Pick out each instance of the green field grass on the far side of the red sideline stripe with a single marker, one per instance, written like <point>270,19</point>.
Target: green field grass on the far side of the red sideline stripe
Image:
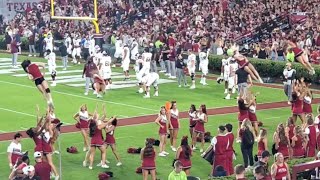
<point>21,95</point>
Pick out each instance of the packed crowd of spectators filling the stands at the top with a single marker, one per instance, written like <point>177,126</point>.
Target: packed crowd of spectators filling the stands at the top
<point>209,23</point>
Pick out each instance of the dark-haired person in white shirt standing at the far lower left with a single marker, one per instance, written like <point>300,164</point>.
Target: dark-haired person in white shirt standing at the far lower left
<point>14,150</point>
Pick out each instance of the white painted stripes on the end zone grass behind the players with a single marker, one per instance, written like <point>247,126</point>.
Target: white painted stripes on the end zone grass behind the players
<point>72,78</point>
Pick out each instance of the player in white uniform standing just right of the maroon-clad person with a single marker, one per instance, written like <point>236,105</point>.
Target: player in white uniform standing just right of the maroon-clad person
<point>105,67</point>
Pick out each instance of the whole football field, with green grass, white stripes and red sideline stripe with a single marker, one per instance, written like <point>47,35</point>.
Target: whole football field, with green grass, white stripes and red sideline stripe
<point>19,98</point>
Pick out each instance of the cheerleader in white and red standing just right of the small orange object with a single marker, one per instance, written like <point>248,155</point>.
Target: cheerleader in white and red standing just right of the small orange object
<point>174,125</point>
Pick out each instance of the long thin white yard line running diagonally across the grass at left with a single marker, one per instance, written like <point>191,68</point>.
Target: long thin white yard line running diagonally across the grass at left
<point>83,97</point>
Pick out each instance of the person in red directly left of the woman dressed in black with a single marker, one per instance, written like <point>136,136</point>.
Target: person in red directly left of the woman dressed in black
<point>230,151</point>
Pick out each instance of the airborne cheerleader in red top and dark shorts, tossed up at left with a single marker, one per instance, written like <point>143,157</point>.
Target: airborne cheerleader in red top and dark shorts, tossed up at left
<point>34,74</point>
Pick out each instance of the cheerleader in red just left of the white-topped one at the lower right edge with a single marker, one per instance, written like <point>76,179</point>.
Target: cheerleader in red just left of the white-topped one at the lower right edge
<point>299,143</point>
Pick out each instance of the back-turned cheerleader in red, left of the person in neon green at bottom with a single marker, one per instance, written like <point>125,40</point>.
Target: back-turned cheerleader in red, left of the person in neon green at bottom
<point>148,158</point>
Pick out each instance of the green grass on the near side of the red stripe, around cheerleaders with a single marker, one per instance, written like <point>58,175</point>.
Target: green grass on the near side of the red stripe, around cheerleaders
<point>134,136</point>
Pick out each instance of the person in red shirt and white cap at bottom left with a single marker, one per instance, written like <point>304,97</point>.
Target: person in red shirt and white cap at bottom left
<point>42,169</point>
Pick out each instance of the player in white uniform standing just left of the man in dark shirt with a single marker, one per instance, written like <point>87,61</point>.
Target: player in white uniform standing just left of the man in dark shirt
<point>233,67</point>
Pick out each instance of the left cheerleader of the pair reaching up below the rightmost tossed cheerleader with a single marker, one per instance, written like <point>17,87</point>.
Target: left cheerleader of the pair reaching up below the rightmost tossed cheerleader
<point>297,104</point>
